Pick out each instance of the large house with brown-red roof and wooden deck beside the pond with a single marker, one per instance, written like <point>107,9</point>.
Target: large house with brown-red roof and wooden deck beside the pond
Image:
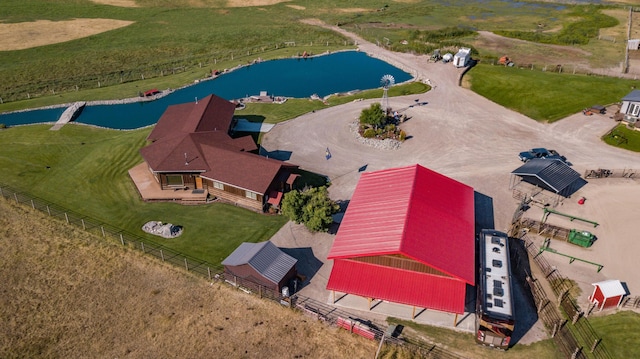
<point>192,157</point>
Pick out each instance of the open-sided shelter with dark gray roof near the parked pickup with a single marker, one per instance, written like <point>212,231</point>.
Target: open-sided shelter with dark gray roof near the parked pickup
<point>549,174</point>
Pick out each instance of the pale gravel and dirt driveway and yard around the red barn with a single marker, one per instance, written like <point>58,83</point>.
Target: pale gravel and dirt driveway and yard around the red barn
<point>471,139</point>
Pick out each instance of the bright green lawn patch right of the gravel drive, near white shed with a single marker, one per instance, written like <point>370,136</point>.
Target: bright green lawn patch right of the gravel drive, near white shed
<point>546,96</point>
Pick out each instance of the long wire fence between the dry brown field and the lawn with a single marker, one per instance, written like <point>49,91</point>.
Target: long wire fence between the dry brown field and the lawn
<point>310,307</point>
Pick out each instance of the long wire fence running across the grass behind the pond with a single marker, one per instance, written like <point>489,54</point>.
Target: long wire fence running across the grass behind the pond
<point>208,64</point>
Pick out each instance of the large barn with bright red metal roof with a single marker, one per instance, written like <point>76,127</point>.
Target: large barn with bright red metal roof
<point>407,237</point>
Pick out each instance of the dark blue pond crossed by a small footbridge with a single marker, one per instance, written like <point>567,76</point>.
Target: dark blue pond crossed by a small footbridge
<point>339,72</point>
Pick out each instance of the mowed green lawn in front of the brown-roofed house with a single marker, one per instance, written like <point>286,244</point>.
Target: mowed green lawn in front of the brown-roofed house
<point>85,169</point>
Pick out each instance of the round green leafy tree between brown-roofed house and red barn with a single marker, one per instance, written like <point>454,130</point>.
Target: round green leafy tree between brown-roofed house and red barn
<point>313,207</point>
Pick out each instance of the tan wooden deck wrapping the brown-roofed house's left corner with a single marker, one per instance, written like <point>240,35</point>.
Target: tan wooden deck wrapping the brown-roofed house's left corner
<point>150,190</point>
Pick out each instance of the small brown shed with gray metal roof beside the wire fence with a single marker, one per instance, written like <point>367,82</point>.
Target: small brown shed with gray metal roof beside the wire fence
<point>260,263</point>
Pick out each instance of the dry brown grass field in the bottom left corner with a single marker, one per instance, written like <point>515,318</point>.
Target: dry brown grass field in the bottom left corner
<point>67,294</point>
